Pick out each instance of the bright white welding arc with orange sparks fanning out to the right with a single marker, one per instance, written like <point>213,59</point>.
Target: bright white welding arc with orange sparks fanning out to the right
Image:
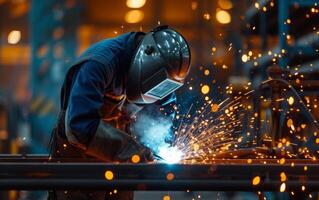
<point>218,130</point>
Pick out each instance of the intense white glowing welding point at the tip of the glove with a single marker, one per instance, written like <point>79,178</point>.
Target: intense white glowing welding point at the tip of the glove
<point>170,154</point>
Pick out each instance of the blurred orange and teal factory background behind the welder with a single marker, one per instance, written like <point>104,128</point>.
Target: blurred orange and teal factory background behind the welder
<point>233,43</point>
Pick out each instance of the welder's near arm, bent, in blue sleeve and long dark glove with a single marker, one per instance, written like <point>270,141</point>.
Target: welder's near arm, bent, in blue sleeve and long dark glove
<point>84,127</point>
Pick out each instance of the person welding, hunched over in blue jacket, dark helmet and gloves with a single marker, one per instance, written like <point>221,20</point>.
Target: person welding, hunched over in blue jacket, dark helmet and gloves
<point>105,89</point>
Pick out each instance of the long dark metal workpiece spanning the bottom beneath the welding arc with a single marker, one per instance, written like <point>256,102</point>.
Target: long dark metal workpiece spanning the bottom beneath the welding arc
<point>34,173</point>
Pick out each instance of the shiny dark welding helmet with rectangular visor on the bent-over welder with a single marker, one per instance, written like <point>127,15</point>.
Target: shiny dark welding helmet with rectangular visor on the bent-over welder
<point>159,66</point>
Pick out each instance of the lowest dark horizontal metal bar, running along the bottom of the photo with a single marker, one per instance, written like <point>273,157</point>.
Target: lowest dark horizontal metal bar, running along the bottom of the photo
<point>155,185</point>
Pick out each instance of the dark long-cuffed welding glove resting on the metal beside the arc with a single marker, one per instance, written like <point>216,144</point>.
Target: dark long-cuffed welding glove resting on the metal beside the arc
<point>112,144</point>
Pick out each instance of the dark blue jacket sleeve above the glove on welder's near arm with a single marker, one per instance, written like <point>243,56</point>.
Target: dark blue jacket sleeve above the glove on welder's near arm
<point>85,101</point>
